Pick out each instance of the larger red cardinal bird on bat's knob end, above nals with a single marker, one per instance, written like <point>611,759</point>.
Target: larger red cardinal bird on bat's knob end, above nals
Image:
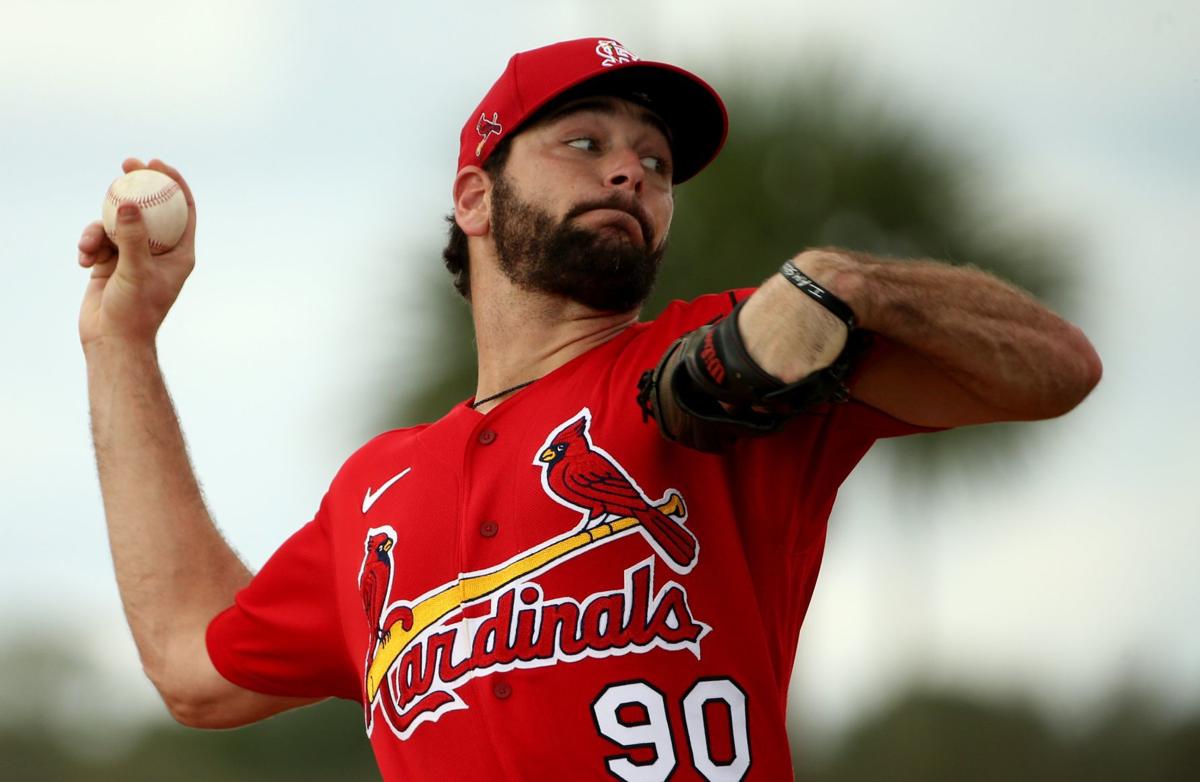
<point>583,477</point>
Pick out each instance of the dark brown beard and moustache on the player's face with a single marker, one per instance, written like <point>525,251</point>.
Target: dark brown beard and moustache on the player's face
<point>601,272</point>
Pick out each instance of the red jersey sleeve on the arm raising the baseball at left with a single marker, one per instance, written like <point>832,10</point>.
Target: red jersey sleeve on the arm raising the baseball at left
<point>284,636</point>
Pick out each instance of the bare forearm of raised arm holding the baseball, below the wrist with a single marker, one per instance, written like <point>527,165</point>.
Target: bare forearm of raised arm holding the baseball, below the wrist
<point>173,569</point>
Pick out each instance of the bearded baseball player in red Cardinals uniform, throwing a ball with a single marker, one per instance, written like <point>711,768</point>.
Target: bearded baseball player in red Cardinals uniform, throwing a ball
<point>598,567</point>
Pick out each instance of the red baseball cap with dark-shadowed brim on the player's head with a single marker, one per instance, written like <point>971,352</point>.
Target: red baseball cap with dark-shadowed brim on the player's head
<point>691,109</point>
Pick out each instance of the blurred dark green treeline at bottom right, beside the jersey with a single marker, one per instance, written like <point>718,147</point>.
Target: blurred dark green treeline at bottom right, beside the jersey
<point>947,736</point>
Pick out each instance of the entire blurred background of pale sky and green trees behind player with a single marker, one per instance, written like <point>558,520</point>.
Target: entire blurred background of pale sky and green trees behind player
<point>1005,603</point>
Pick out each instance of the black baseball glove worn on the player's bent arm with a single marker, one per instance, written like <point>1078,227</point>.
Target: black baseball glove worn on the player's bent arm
<point>707,392</point>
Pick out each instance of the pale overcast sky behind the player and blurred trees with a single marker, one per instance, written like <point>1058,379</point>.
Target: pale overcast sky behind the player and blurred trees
<point>321,142</point>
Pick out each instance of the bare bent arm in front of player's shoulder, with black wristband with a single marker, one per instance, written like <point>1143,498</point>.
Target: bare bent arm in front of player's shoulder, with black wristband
<point>958,345</point>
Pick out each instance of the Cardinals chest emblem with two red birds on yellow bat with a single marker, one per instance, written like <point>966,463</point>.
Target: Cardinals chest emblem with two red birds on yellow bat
<point>424,649</point>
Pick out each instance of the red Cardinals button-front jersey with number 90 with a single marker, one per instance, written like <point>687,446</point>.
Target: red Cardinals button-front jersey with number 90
<point>553,591</point>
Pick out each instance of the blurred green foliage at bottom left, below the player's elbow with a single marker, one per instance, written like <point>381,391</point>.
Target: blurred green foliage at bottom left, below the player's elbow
<point>57,724</point>
